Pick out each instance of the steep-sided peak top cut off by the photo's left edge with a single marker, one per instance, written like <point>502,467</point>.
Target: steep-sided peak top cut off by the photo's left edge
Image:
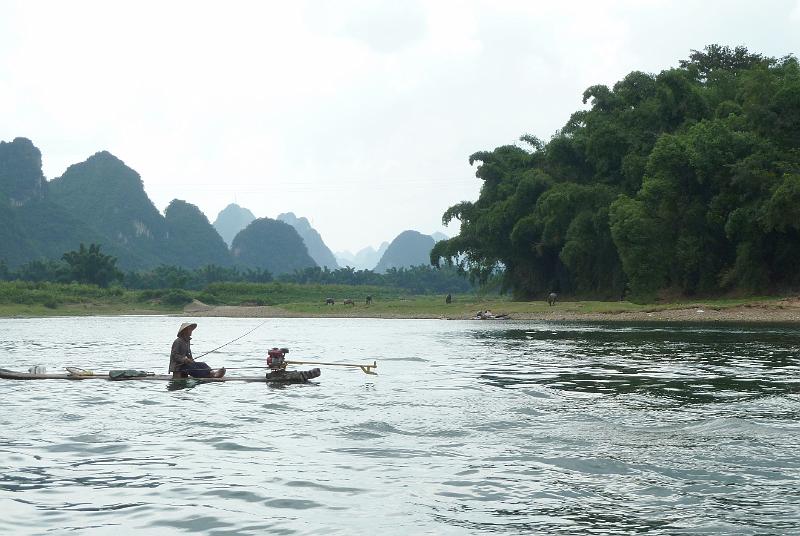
<point>21,178</point>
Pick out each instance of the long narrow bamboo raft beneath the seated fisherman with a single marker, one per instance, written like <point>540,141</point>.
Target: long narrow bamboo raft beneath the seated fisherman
<point>286,376</point>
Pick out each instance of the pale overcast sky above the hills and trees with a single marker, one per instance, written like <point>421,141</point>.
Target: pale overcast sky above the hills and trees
<point>360,116</point>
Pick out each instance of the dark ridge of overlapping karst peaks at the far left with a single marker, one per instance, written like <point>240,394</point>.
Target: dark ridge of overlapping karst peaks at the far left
<point>98,201</point>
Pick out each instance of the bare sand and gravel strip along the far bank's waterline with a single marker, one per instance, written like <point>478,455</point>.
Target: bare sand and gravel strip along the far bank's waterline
<point>786,311</point>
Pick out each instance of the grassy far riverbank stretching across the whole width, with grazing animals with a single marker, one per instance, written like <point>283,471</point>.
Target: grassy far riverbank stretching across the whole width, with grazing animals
<point>288,299</point>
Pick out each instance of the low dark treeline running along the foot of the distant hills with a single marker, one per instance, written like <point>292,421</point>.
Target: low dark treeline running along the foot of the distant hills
<point>91,266</point>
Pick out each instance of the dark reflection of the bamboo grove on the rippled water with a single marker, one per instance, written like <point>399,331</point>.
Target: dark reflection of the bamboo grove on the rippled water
<point>690,364</point>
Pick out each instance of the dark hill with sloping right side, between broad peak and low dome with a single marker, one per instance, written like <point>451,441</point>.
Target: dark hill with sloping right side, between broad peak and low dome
<point>192,242</point>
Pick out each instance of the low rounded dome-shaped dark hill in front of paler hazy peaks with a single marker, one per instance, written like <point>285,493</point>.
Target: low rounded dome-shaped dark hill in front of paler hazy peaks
<point>272,245</point>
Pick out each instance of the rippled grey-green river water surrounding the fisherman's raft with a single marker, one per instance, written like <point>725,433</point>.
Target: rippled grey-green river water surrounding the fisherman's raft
<point>469,428</point>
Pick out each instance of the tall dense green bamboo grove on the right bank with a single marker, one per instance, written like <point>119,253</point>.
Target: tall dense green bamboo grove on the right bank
<point>685,182</point>
